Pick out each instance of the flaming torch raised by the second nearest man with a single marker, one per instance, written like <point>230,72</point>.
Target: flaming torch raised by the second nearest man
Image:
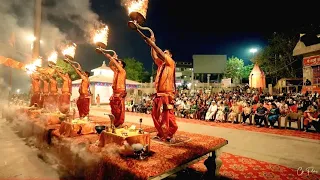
<point>100,39</point>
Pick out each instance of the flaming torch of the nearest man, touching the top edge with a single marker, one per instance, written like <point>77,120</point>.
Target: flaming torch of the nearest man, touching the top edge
<point>137,10</point>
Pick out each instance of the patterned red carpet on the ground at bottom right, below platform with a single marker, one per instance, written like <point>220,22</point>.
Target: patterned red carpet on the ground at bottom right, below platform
<point>238,167</point>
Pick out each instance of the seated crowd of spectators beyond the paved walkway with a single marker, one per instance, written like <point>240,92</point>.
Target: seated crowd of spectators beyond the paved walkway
<point>248,107</point>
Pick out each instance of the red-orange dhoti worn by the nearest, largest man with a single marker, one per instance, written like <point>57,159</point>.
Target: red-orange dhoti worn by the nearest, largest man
<point>166,117</point>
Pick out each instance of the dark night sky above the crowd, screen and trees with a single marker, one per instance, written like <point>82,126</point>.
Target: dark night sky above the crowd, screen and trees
<point>195,27</point>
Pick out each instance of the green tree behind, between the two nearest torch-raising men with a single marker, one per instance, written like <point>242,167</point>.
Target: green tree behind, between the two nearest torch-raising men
<point>135,70</point>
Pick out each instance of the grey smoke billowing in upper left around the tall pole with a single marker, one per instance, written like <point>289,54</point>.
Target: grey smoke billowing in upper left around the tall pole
<point>62,21</point>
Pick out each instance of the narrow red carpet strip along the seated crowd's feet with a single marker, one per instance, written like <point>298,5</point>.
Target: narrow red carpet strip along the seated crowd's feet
<point>283,132</point>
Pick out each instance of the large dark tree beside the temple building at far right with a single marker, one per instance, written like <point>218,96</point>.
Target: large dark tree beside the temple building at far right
<point>276,59</point>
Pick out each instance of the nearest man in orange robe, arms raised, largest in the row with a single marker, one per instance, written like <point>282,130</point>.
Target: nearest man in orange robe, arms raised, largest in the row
<point>164,121</point>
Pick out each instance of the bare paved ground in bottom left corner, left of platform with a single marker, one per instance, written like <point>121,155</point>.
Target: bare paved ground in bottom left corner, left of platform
<point>20,161</point>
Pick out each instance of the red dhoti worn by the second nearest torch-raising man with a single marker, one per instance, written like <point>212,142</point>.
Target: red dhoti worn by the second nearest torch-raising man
<point>118,107</point>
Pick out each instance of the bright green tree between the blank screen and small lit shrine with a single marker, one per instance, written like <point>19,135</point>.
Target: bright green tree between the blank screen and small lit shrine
<point>236,69</point>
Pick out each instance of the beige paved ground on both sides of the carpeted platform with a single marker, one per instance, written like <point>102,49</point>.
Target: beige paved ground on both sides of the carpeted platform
<point>18,160</point>
